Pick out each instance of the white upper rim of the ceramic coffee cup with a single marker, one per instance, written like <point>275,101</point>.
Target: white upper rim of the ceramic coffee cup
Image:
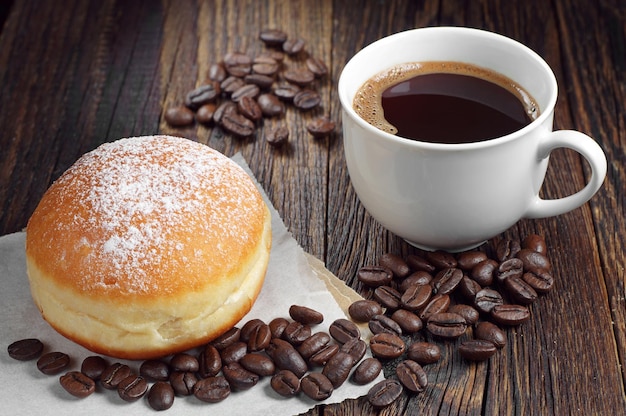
<point>546,113</point>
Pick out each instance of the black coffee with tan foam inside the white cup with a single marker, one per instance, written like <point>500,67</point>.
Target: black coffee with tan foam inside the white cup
<point>444,102</point>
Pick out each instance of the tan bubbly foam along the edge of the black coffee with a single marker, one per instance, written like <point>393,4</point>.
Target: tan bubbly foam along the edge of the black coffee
<point>368,100</point>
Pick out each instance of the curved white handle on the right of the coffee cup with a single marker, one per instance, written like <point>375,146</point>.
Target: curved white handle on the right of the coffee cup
<point>591,151</point>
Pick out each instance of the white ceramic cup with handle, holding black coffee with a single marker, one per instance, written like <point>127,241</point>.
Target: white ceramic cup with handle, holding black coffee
<point>456,196</point>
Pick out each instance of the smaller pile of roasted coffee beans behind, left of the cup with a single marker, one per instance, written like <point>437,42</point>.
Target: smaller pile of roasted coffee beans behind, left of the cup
<point>241,90</point>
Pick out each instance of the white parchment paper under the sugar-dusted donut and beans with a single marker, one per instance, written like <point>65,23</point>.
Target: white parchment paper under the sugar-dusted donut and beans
<point>24,390</point>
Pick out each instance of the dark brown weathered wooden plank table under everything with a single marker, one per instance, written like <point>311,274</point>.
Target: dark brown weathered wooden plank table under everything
<point>75,74</point>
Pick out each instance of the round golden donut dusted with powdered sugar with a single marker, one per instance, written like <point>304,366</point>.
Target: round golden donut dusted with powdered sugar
<point>148,246</point>
